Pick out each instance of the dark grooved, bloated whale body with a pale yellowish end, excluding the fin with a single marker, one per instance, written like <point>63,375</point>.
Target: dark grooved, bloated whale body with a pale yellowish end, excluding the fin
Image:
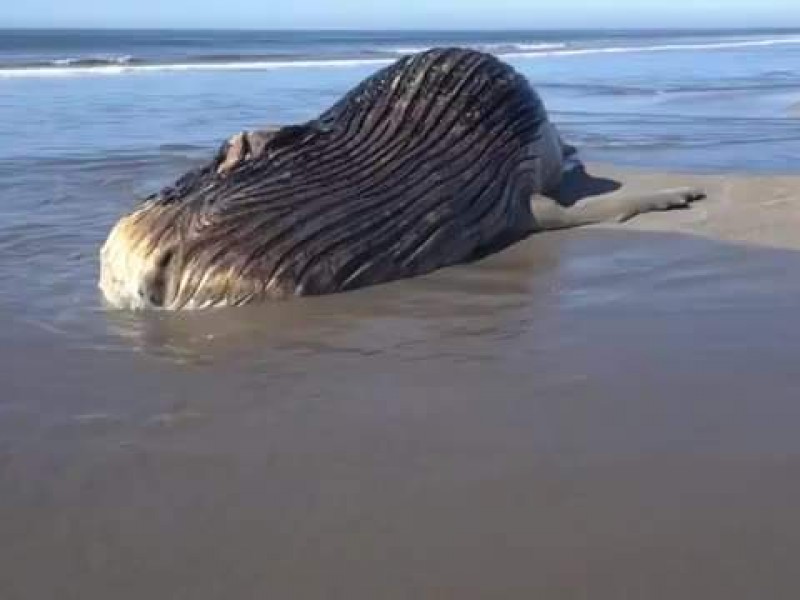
<point>427,163</point>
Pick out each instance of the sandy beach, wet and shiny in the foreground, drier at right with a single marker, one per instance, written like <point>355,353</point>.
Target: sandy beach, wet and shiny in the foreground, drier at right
<point>603,413</point>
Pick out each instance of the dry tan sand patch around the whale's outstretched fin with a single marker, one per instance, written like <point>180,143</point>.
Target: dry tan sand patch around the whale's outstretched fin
<point>758,210</point>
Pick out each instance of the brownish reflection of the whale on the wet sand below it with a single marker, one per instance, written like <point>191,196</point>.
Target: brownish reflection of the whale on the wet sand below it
<point>365,320</point>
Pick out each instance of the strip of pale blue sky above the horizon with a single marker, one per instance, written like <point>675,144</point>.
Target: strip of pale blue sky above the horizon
<point>400,14</point>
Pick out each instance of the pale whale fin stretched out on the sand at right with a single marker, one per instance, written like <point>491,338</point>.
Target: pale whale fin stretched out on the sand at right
<point>549,214</point>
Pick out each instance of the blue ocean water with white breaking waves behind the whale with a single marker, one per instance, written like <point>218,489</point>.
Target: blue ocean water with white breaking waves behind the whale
<point>695,99</point>
